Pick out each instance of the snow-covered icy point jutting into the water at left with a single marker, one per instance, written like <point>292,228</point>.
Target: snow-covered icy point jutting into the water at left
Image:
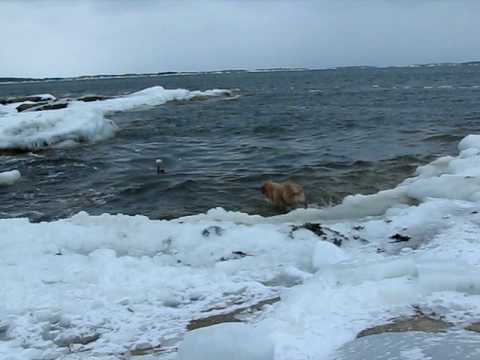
<point>80,122</point>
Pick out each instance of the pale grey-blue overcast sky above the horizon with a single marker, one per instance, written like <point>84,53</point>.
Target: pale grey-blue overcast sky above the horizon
<point>72,37</point>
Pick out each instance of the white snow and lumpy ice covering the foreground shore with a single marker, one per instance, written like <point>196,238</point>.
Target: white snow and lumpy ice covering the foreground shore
<point>128,282</point>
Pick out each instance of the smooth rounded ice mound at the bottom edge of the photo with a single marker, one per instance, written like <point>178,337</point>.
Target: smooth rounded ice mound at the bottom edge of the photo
<point>232,341</point>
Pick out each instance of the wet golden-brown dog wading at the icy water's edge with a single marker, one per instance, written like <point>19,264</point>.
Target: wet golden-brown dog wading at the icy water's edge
<point>284,196</point>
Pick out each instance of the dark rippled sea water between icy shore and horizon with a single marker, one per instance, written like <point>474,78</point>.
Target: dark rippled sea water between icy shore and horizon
<point>337,132</point>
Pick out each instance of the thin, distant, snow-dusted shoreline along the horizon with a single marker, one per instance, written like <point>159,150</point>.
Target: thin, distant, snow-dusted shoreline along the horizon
<point>15,80</point>
